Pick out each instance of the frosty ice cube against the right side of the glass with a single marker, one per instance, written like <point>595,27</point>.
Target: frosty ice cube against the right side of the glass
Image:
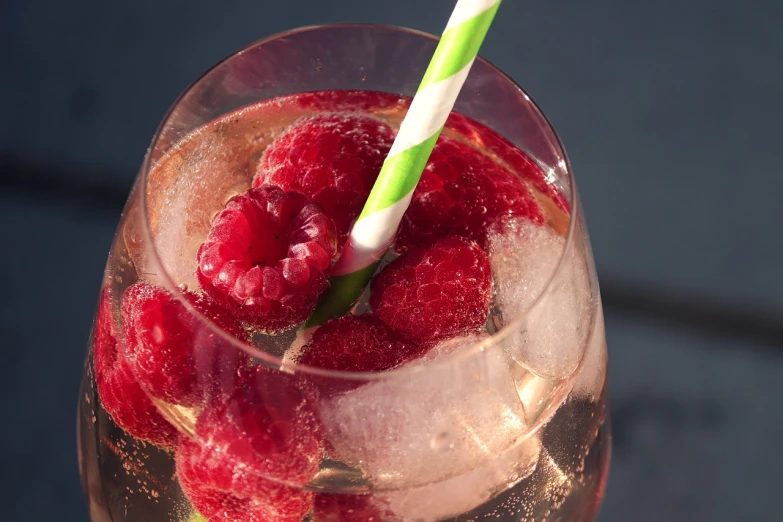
<point>555,314</point>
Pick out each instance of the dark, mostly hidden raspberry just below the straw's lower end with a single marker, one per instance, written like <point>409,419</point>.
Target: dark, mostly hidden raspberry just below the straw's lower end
<point>356,343</point>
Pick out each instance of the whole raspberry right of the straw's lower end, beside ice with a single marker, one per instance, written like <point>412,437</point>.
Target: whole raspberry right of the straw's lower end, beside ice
<point>433,293</point>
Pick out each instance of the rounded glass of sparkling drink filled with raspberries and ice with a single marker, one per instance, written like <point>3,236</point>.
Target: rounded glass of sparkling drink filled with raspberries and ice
<point>468,382</point>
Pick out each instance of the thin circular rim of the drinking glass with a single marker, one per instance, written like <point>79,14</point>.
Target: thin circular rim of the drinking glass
<point>276,362</point>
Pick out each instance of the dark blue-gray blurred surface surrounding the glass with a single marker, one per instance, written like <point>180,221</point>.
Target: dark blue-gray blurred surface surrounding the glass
<point>670,114</point>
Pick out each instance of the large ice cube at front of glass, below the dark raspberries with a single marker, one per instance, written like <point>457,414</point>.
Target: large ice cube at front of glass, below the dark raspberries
<point>453,411</point>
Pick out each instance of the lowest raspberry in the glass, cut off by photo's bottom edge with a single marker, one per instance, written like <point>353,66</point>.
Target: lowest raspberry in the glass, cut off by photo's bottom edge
<point>211,483</point>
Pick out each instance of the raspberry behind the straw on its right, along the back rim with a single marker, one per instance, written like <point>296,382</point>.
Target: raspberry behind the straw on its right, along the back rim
<point>462,192</point>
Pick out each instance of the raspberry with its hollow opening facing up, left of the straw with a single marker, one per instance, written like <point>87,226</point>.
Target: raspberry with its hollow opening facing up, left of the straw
<point>267,257</point>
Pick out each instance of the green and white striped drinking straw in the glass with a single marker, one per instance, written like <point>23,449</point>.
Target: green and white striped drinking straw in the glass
<point>374,230</point>
